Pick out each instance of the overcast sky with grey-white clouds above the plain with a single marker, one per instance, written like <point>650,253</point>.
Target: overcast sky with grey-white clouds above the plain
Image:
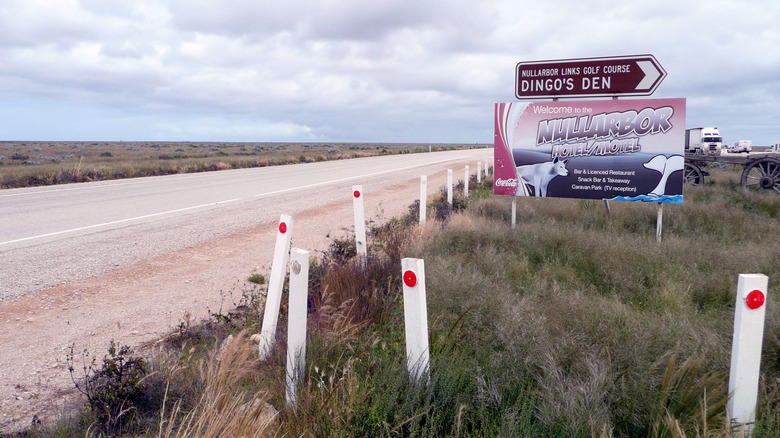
<point>392,71</point>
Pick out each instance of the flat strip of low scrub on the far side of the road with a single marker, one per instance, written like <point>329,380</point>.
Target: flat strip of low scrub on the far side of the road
<point>27,164</point>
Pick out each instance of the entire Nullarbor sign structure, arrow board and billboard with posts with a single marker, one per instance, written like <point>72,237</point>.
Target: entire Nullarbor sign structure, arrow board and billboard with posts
<point>628,151</point>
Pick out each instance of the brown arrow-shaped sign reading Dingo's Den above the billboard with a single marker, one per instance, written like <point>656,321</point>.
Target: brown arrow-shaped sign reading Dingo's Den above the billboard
<point>637,75</point>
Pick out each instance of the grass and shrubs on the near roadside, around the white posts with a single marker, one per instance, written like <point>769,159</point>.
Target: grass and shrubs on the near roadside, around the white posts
<point>575,323</point>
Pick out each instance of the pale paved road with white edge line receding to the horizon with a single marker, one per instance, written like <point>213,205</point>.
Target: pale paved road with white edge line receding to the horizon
<point>54,235</point>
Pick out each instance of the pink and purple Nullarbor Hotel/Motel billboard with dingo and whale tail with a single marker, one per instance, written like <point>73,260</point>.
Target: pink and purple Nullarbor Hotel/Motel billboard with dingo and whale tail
<point>626,150</point>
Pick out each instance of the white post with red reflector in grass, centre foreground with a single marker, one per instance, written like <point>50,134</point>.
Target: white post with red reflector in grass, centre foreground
<point>416,319</point>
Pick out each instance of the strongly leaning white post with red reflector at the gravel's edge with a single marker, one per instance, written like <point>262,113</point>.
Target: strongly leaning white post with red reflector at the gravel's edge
<point>275,283</point>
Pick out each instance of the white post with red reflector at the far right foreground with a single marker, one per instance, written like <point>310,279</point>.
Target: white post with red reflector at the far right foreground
<point>749,315</point>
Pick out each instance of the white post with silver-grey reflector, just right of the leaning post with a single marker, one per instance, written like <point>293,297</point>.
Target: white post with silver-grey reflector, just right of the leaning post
<point>296,322</point>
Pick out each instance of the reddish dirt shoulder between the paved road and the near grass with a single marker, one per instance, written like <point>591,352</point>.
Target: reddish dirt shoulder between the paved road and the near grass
<point>143,302</point>
